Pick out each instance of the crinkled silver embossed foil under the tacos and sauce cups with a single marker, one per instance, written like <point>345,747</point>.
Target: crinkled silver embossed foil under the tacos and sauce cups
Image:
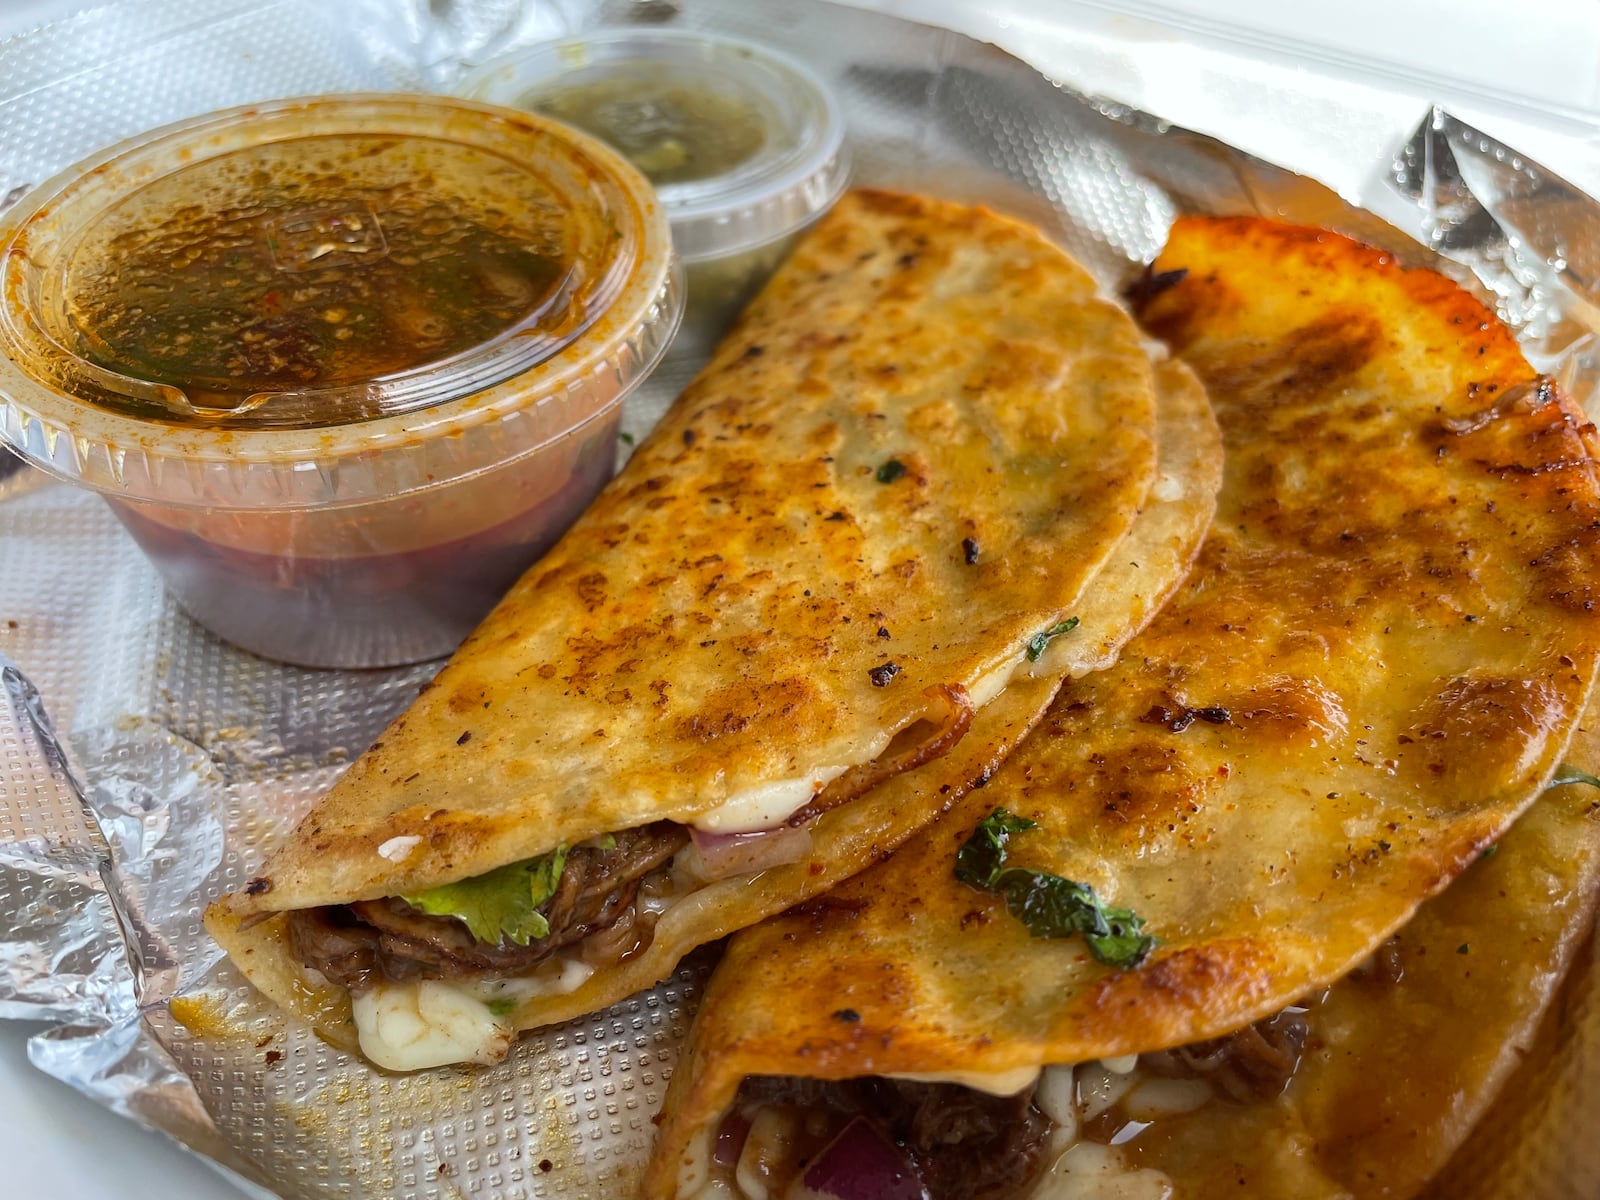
<point>175,759</point>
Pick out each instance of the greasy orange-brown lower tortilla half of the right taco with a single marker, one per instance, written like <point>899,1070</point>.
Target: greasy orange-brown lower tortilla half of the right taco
<point>1402,1060</point>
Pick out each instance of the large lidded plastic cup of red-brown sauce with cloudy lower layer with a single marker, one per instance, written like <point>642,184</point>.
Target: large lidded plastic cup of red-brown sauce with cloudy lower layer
<point>343,367</point>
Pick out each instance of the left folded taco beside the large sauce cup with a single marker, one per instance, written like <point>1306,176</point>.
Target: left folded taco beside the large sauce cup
<point>898,474</point>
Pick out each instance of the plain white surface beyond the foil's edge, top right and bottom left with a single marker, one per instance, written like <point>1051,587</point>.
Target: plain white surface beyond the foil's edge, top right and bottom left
<point>1532,79</point>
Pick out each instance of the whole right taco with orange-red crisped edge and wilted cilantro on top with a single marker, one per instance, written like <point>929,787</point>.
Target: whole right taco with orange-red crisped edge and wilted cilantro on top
<point>1090,977</point>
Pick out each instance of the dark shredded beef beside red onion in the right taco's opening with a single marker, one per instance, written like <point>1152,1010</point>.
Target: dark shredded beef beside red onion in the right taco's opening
<point>966,1145</point>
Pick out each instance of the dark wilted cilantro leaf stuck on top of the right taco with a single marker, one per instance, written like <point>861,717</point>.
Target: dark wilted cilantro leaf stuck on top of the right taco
<point>1050,906</point>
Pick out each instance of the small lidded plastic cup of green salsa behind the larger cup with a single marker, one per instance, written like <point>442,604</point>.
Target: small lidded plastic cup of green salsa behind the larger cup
<point>745,145</point>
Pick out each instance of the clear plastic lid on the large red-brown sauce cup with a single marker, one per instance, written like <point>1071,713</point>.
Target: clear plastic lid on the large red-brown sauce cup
<point>327,302</point>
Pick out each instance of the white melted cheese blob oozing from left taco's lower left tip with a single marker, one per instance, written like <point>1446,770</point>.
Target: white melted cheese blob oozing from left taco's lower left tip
<point>428,1023</point>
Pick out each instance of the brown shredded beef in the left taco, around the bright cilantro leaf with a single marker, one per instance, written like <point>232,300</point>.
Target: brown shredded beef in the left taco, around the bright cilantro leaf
<point>596,903</point>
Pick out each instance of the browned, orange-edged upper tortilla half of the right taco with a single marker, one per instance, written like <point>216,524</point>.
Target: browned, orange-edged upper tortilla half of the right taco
<point>1372,671</point>
